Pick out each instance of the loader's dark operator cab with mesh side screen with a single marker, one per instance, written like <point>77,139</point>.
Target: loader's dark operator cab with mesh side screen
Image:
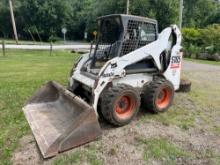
<point>120,34</point>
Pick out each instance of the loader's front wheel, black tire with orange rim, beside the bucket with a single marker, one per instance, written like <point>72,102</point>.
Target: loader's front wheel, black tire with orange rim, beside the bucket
<point>120,104</point>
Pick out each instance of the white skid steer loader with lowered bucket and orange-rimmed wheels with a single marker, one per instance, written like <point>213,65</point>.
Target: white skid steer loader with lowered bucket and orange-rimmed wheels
<point>131,65</point>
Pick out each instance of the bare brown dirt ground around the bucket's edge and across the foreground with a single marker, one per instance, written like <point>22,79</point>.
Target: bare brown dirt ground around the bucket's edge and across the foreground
<point>119,145</point>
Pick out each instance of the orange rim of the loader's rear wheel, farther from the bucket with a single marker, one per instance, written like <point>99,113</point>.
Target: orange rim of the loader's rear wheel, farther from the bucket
<point>163,99</point>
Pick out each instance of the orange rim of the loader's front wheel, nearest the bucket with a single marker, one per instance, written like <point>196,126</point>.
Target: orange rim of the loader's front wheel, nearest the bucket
<point>125,106</point>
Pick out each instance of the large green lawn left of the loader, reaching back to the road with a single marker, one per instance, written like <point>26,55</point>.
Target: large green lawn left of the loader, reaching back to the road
<point>21,73</point>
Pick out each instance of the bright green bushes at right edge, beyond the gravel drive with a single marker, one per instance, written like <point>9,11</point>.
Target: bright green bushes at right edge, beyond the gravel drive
<point>198,42</point>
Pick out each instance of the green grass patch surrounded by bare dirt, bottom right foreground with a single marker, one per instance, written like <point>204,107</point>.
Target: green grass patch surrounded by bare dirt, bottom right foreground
<point>161,149</point>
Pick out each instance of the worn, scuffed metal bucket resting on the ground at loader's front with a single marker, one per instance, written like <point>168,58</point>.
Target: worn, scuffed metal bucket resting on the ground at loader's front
<point>60,120</point>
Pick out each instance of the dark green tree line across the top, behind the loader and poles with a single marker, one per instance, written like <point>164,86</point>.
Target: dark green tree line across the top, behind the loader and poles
<point>47,17</point>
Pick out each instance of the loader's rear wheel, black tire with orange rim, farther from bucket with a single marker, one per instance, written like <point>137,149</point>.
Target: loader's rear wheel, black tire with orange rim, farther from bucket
<point>151,98</point>
